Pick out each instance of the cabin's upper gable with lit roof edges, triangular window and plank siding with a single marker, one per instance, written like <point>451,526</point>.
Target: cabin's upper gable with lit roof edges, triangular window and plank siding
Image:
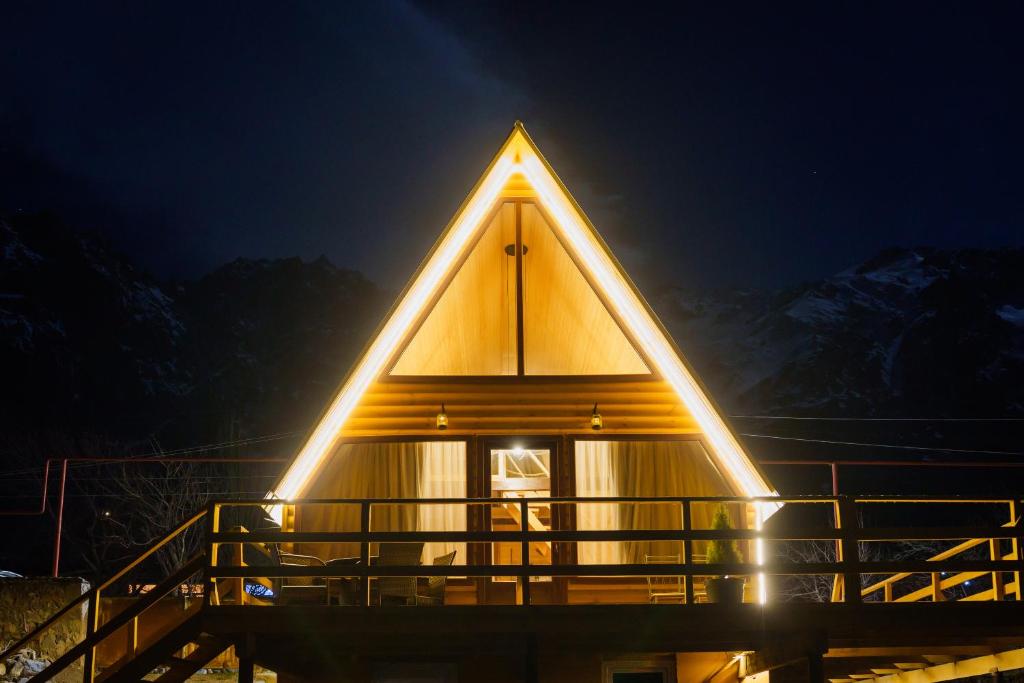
<point>520,320</point>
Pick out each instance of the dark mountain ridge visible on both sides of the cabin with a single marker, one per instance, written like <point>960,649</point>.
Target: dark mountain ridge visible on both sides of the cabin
<point>93,346</point>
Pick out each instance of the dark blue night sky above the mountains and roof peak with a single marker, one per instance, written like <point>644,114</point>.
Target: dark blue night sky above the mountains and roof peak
<point>713,145</point>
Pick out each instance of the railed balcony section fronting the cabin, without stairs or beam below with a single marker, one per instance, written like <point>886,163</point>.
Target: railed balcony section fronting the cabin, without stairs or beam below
<point>539,551</point>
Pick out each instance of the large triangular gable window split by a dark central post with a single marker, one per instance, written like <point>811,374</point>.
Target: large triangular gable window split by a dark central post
<point>476,327</point>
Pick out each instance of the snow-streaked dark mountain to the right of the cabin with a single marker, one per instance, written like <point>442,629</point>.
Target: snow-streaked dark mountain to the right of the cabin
<point>910,333</point>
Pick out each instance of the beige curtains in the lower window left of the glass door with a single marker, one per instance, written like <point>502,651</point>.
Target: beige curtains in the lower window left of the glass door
<point>429,469</point>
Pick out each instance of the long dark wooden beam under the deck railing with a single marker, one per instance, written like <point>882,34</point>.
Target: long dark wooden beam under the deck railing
<point>926,628</point>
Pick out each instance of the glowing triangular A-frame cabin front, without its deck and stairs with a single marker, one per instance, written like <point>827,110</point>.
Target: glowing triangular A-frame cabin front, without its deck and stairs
<point>520,362</point>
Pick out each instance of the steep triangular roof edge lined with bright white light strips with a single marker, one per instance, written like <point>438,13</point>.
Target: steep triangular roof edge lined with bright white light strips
<point>520,161</point>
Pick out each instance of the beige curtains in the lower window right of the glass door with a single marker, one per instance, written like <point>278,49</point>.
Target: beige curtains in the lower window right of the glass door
<point>643,469</point>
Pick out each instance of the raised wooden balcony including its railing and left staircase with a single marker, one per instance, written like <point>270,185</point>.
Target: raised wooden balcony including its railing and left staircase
<point>839,580</point>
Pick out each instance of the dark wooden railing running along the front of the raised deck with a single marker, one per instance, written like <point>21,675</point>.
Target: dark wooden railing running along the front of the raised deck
<point>844,532</point>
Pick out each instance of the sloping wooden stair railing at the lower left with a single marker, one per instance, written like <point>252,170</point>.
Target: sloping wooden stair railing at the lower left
<point>90,602</point>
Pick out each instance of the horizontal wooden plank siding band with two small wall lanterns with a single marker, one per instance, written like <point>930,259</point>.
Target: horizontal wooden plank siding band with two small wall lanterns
<point>510,406</point>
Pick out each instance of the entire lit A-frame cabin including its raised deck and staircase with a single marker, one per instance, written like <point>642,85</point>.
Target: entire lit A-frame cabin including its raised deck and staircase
<point>522,480</point>
